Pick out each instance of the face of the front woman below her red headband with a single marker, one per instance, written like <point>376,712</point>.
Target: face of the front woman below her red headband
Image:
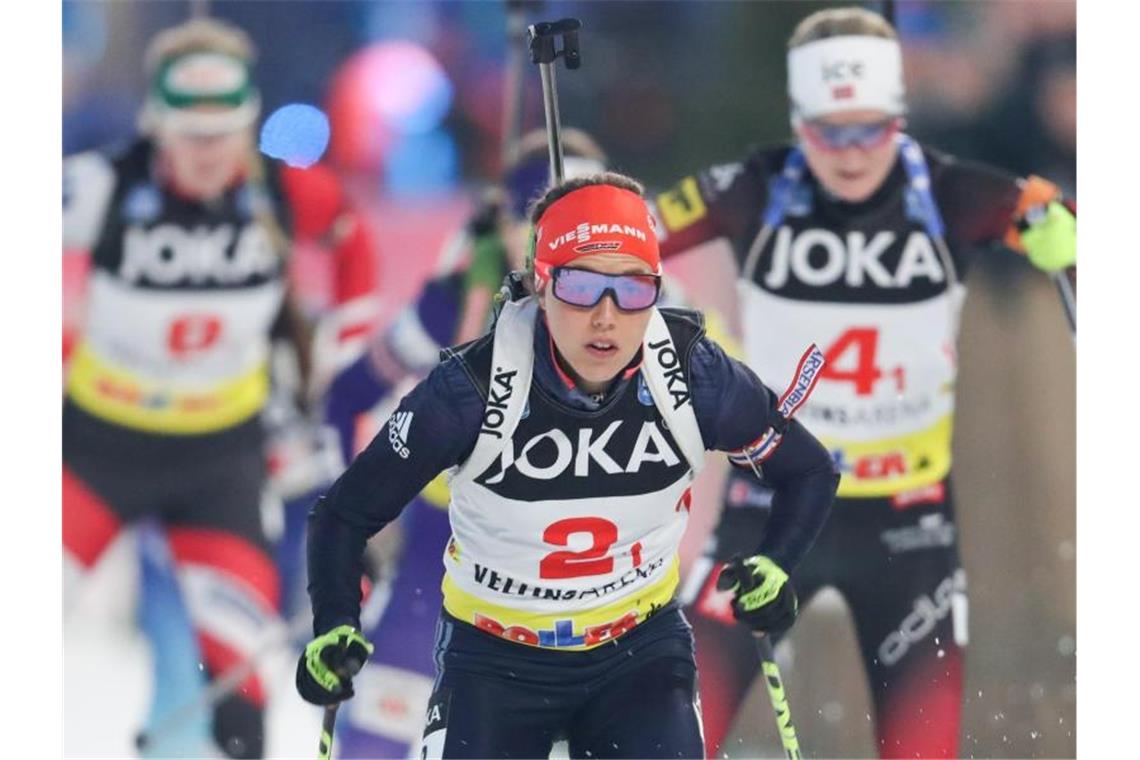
<point>599,341</point>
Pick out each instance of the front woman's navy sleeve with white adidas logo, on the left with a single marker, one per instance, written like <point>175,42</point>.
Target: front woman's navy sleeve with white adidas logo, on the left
<point>434,429</point>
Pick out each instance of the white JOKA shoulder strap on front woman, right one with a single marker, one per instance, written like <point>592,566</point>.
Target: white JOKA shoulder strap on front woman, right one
<point>666,380</point>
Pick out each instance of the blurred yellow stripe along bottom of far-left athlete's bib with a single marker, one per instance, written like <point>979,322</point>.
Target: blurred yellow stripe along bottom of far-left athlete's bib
<point>115,395</point>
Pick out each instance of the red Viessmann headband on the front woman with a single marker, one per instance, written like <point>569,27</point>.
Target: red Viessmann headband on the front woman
<point>597,219</point>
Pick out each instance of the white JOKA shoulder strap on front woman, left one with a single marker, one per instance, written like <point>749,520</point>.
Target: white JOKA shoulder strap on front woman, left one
<point>508,387</point>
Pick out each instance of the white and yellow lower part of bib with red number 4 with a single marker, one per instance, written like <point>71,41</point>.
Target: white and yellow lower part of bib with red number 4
<point>885,402</point>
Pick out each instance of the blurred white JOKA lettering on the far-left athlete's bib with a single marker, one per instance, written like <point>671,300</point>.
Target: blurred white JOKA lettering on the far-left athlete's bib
<point>168,255</point>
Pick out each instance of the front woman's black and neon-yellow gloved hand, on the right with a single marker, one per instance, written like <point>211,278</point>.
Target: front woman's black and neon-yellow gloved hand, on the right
<point>764,599</point>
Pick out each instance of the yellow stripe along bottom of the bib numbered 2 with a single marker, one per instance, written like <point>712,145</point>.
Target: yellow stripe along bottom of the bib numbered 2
<point>573,631</point>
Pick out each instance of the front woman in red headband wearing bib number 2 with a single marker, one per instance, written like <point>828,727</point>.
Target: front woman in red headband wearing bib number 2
<point>573,434</point>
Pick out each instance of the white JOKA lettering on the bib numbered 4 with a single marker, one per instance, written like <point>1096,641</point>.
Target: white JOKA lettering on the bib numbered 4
<point>856,260</point>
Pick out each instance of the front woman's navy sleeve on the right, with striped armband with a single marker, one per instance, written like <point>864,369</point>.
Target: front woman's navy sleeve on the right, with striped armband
<point>735,410</point>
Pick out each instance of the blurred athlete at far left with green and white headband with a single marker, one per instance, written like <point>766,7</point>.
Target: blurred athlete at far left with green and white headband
<point>189,232</point>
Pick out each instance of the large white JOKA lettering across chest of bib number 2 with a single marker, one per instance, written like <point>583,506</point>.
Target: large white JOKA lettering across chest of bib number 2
<point>652,446</point>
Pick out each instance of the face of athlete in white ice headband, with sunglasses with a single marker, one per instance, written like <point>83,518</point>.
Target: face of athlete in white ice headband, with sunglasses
<point>851,170</point>
